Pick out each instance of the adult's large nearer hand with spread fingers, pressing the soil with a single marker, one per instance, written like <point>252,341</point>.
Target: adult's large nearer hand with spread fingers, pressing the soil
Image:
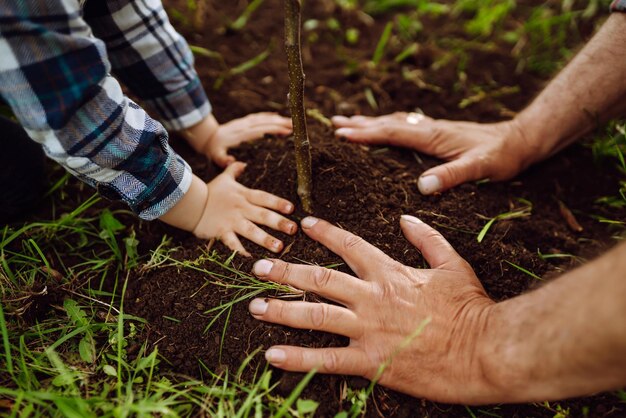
<point>382,309</point>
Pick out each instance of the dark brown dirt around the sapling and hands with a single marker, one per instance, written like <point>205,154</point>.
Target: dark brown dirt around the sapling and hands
<point>365,190</point>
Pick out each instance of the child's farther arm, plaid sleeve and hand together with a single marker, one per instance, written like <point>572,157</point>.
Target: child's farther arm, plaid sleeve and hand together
<point>156,64</point>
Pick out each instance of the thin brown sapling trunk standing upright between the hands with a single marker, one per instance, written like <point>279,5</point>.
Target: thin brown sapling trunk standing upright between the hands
<point>296,101</point>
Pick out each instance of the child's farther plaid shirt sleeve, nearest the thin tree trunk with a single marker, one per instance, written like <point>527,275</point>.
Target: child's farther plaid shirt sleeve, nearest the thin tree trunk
<point>150,58</point>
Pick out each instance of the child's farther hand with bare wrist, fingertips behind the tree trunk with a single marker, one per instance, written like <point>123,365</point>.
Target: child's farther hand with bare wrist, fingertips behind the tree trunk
<point>213,140</point>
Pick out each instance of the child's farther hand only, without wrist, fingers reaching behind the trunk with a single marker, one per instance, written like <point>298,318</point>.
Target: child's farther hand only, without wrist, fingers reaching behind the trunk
<point>245,129</point>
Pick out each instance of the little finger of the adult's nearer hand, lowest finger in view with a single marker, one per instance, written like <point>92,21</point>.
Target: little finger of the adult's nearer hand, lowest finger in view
<point>348,360</point>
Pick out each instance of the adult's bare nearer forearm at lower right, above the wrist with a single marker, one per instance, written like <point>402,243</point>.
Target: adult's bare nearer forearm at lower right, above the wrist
<point>565,339</point>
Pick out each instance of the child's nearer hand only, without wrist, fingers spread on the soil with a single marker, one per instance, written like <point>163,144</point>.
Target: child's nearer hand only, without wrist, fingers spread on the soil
<point>233,209</point>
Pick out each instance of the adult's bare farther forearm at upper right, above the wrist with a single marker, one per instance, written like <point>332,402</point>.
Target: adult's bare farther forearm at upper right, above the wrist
<point>591,89</point>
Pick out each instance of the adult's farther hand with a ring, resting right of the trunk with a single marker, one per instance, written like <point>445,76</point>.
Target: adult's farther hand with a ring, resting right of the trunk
<point>475,151</point>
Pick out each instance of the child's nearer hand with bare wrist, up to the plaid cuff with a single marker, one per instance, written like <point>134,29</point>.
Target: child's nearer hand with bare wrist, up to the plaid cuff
<point>224,209</point>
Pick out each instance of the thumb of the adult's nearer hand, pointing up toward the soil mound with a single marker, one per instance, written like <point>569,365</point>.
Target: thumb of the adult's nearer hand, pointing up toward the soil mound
<point>436,250</point>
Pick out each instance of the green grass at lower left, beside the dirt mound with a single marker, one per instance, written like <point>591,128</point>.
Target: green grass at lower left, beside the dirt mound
<point>79,360</point>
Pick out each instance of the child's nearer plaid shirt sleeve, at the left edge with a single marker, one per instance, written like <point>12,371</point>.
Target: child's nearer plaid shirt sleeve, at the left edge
<point>55,76</point>
